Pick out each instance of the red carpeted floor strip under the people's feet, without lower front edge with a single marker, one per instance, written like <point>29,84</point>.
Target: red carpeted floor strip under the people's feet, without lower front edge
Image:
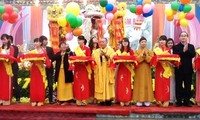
<point>96,109</point>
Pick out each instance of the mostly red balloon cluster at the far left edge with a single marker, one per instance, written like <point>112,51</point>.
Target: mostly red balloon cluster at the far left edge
<point>8,13</point>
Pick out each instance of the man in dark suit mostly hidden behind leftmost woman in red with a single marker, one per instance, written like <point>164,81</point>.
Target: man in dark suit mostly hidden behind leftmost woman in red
<point>15,69</point>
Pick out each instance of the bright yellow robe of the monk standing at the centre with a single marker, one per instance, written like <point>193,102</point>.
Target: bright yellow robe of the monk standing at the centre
<point>103,75</point>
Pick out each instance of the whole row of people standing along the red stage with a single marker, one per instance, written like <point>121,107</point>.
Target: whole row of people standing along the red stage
<point>98,82</point>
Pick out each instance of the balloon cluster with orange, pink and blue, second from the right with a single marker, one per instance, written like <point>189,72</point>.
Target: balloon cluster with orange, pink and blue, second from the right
<point>143,7</point>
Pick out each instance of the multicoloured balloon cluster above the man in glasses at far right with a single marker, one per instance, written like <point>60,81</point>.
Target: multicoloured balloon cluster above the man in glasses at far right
<point>183,9</point>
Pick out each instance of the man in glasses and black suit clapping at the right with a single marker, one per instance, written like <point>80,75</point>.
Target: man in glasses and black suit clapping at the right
<point>183,73</point>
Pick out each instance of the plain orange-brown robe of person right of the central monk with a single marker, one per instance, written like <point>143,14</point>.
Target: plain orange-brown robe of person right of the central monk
<point>143,91</point>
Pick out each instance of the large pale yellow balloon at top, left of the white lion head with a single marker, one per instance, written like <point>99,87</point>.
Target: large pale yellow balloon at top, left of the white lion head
<point>73,8</point>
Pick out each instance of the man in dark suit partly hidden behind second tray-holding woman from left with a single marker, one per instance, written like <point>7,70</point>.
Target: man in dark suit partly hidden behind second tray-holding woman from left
<point>49,71</point>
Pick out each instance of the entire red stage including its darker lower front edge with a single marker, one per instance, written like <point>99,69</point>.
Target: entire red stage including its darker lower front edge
<point>92,112</point>
